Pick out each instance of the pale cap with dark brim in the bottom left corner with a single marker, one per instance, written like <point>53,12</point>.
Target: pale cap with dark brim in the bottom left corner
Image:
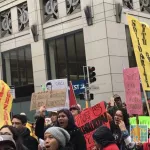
<point>4,139</point>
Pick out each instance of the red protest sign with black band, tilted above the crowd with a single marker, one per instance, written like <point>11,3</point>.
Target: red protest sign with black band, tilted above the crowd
<point>89,120</point>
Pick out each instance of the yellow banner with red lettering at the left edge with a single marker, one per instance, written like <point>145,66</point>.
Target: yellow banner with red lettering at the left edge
<point>5,104</point>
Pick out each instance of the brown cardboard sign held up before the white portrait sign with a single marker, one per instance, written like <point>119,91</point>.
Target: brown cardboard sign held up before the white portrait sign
<point>50,99</point>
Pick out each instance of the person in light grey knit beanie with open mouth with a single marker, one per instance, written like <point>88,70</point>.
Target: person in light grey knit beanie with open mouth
<point>56,138</point>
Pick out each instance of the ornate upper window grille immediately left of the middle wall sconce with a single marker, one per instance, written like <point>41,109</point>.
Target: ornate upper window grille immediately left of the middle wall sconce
<point>73,6</point>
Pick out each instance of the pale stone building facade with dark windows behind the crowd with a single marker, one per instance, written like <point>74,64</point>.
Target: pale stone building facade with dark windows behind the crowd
<point>53,39</point>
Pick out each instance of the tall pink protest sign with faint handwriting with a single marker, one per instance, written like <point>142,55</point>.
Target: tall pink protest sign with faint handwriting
<point>132,91</point>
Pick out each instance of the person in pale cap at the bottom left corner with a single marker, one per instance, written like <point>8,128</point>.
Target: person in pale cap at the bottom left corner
<point>7,143</point>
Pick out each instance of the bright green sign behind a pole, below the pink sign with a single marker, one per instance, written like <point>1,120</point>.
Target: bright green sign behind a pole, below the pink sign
<point>145,120</point>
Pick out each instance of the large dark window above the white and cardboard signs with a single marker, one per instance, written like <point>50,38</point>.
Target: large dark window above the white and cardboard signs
<point>66,57</point>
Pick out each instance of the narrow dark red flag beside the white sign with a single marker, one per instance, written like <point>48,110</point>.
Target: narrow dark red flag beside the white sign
<point>72,97</point>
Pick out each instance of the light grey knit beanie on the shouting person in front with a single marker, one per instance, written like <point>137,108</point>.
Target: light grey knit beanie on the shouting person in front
<point>59,134</point>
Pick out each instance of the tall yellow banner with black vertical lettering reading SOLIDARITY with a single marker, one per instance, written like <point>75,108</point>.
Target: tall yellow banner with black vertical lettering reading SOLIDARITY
<point>140,34</point>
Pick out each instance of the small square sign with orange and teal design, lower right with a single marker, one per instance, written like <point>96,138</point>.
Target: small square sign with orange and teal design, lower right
<point>142,137</point>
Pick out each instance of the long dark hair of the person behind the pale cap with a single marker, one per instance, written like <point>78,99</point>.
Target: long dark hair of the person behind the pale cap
<point>16,137</point>
